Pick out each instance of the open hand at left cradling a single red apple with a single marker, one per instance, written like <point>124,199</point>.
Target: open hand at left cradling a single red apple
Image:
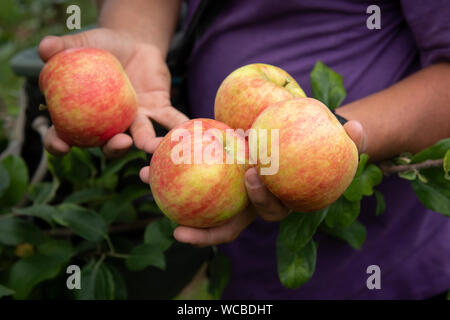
<point>148,72</point>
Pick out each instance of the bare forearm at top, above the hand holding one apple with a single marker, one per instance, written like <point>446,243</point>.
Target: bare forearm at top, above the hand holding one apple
<point>151,21</point>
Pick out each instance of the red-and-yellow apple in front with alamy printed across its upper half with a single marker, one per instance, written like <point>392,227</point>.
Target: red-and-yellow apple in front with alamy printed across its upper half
<point>198,195</point>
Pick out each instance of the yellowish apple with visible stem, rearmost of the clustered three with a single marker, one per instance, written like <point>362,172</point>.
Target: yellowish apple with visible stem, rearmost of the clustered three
<point>247,91</point>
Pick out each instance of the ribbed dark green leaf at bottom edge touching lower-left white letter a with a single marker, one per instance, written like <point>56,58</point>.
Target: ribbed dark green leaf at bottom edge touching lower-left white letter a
<point>97,282</point>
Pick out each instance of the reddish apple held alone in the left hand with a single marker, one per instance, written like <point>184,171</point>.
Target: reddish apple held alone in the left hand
<point>89,96</point>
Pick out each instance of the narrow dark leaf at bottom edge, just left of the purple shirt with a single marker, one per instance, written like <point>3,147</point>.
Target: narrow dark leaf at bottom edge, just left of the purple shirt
<point>219,270</point>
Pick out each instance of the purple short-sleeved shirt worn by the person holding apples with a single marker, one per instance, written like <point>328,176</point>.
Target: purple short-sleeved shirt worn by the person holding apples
<point>410,243</point>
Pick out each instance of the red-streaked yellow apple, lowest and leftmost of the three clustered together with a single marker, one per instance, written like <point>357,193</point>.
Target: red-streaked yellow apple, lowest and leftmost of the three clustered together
<point>197,173</point>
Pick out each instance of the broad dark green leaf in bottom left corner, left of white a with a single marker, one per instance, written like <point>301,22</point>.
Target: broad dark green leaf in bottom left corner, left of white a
<point>26,273</point>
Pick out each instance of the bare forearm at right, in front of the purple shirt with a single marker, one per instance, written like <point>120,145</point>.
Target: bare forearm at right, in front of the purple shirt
<point>409,116</point>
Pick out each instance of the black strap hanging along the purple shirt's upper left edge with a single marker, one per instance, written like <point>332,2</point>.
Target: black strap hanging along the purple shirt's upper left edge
<point>204,15</point>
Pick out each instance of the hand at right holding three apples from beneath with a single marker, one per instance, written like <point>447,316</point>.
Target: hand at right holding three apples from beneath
<point>263,204</point>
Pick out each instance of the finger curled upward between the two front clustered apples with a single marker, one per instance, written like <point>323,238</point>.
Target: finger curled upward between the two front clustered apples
<point>267,205</point>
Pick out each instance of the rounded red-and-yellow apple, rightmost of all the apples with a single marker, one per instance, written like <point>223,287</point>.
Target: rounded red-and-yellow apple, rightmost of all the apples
<point>317,159</point>
